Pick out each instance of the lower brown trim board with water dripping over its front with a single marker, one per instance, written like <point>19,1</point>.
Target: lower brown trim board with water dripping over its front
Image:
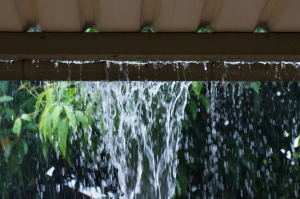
<point>215,71</point>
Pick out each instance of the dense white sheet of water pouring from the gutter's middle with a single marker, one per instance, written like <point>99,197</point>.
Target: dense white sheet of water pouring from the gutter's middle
<point>142,121</point>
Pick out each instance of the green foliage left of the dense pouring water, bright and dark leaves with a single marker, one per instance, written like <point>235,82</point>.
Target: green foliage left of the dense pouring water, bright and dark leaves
<point>49,110</point>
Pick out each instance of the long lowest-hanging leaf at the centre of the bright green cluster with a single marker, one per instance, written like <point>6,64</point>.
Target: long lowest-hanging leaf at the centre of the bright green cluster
<point>63,128</point>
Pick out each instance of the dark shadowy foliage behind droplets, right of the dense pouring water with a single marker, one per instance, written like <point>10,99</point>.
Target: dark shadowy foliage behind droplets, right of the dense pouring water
<point>253,153</point>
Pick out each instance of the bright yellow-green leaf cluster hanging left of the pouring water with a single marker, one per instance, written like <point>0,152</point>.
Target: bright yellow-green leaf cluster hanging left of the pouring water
<point>60,113</point>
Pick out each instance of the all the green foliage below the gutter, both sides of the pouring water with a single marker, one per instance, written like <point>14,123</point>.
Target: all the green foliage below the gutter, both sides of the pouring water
<point>251,132</point>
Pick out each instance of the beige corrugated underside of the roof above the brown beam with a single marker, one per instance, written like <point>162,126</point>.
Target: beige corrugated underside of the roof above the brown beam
<point>157,15</point>
